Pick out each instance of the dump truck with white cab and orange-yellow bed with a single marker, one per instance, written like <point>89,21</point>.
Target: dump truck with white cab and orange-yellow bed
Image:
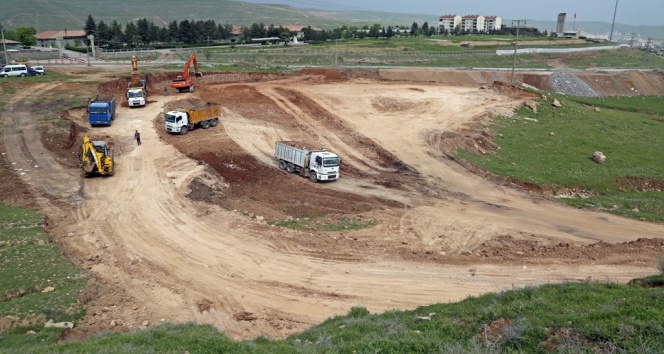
<point>183,120</point>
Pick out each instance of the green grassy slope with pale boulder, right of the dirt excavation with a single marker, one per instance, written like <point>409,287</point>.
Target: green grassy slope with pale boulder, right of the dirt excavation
<point>628,130</point>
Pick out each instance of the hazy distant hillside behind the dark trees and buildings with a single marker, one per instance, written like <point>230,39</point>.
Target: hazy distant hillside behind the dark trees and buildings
<point>71,14</point>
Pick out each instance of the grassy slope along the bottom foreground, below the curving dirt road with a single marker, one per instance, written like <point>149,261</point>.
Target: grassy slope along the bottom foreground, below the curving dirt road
<point>572,317</point>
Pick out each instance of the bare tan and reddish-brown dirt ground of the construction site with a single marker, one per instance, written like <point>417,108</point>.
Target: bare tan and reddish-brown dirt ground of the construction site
<point>180,233</point>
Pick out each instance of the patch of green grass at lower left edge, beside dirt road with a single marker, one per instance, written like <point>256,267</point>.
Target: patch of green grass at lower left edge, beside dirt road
<point>37,284</point>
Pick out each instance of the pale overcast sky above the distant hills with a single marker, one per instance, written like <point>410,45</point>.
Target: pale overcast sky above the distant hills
<point>632,12</point>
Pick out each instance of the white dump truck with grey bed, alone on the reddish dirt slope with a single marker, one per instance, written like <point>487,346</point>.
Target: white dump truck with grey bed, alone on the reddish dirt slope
<point>318,165</point>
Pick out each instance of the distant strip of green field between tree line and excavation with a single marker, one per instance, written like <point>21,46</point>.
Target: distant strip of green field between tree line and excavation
<point>414,52</point>
